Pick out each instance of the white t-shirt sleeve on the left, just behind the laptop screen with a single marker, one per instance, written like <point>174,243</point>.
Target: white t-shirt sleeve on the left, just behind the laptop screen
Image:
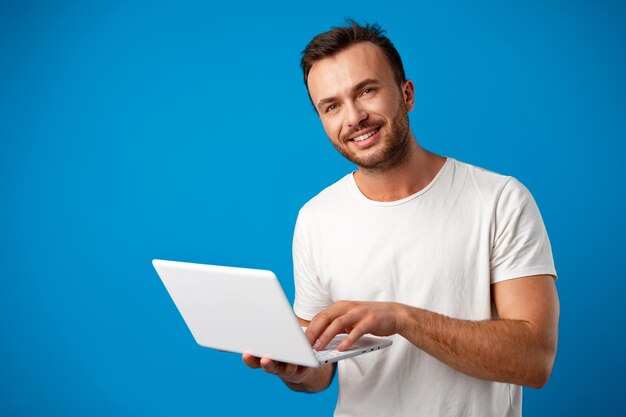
<point>311,296</point>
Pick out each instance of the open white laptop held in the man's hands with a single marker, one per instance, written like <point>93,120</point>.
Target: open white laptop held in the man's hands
<point>245,310</point>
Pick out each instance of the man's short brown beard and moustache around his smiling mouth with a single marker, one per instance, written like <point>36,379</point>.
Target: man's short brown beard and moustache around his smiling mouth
<point>394,146</point>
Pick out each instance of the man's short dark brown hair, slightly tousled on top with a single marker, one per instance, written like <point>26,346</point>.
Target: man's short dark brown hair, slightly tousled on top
<point>330,43</point>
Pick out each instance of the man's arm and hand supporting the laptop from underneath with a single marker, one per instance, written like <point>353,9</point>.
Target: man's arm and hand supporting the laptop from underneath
<point>298,378</point>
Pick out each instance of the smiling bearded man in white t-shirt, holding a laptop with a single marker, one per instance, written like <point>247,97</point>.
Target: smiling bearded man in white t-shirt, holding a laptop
<point>451,261</point>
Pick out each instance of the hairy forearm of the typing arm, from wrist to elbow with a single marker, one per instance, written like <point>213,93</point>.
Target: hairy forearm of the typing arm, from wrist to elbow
<point>498,350</point>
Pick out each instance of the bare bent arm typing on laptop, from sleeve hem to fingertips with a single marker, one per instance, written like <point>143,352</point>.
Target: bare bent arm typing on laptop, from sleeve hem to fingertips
<point>518,348</point>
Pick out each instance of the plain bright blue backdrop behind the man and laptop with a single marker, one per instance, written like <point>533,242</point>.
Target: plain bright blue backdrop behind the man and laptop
<point>182,130</point>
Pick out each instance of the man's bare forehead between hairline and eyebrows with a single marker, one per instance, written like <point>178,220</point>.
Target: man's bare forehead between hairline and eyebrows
<point>337,74</point>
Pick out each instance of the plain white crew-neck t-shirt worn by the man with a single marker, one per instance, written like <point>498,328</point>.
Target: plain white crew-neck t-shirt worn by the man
<point>439,249</point>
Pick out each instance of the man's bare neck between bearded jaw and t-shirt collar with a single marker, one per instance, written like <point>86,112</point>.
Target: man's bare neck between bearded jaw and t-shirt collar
<point>410,176</point>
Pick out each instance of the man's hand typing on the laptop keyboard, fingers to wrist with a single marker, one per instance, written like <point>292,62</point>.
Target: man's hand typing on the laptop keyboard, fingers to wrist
<point>355,318</point>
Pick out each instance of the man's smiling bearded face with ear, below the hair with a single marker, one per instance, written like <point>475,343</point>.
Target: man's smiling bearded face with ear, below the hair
<point>363,109</point>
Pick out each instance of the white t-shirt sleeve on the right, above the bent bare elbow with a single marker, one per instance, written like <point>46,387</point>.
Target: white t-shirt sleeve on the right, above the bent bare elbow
<point>521,246</point>
